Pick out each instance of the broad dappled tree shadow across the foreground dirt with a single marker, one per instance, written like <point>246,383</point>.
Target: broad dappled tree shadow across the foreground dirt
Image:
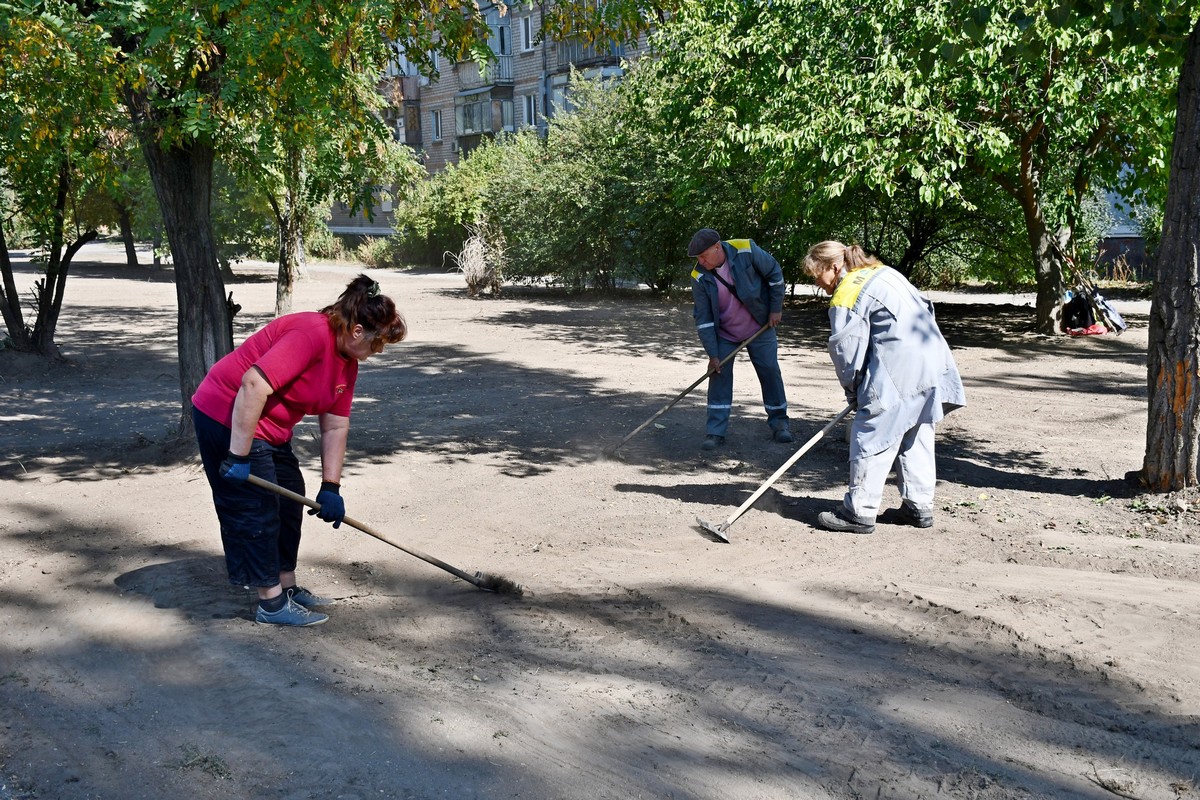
<point>897,696</point>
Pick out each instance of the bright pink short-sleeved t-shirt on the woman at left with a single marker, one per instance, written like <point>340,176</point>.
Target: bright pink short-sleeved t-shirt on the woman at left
<point>298,354</point>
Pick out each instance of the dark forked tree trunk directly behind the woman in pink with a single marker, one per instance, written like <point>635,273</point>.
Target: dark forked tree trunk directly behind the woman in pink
<point>183,183</point>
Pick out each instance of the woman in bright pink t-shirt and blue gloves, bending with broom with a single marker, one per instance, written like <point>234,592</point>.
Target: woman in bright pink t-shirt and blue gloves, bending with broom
<point>245,411</point>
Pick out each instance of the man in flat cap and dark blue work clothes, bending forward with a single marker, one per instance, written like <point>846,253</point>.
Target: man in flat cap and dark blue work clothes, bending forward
<point>739,288</point>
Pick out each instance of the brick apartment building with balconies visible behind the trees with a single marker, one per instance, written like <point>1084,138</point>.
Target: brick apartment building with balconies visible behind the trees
<point>524,86</point>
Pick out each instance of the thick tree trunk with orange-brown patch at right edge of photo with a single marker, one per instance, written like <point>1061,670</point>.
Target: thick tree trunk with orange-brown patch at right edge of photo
<point>1173,429</point>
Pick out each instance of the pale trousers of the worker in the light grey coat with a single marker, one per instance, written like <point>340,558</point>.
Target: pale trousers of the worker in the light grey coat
<point>916,474</point>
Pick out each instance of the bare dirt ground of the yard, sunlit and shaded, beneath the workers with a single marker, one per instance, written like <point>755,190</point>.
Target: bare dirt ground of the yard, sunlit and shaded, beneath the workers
<point>1042,641</point>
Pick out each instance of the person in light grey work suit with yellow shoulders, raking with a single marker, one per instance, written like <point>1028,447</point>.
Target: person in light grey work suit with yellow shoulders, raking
<point>897,369</point>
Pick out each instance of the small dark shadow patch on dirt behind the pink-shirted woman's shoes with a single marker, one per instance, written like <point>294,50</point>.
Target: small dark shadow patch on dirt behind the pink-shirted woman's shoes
<point>197,587</point>
